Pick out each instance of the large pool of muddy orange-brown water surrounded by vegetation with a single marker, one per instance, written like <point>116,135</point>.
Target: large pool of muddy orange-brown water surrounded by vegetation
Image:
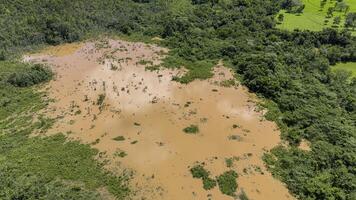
<point>150,112</point>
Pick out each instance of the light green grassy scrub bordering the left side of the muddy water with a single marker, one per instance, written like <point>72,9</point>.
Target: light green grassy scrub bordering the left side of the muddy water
<point>44,167</point>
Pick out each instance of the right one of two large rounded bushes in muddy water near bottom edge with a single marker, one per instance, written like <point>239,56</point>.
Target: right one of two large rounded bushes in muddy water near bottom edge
<point>227,182</point>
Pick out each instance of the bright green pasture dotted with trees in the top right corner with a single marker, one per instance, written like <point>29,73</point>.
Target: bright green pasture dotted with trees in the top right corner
<point>314,17</point>
